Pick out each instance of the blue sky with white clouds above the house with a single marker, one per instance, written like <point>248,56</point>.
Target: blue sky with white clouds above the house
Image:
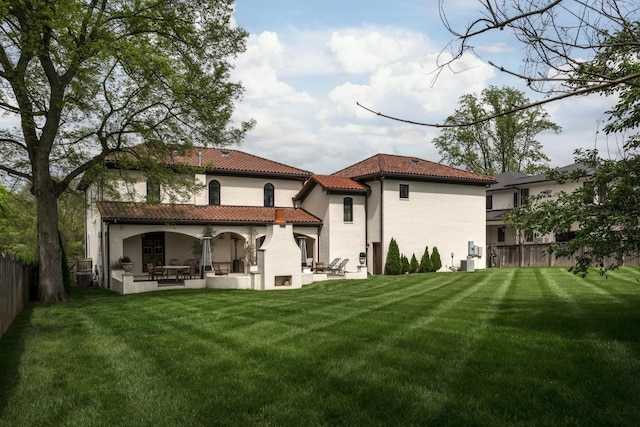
<point>308,63</point>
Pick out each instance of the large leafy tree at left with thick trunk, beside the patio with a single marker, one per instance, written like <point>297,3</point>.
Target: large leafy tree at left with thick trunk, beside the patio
<point>87,80</point>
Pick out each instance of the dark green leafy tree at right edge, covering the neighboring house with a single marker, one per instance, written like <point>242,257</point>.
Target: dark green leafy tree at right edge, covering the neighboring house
<point>605,207</point>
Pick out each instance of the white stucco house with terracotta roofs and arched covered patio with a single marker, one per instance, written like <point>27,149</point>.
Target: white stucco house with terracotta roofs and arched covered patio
<point>290,220</point>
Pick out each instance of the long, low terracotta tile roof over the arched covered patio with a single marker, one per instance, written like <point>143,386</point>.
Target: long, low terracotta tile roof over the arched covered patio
<point>174,213</point>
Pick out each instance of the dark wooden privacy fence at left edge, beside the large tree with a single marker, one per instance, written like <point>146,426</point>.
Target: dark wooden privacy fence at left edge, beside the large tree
<point>14,290</point>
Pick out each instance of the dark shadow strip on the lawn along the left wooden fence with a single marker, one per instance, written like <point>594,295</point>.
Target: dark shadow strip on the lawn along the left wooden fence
<point>11,349</point>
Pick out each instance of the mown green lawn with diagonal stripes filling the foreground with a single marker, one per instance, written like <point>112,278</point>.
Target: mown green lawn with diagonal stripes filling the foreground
<point>534,347</point>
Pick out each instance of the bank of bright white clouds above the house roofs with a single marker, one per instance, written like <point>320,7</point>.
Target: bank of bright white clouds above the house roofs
<point>302,88</point>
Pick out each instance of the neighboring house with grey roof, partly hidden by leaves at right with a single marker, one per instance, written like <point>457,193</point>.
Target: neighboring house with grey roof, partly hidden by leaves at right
<point>511,190</point>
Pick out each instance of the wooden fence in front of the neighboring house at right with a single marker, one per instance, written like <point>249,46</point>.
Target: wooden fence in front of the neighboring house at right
<point>535,255</point>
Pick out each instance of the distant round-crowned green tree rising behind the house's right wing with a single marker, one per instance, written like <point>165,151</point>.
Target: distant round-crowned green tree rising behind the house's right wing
<point>506,143</point>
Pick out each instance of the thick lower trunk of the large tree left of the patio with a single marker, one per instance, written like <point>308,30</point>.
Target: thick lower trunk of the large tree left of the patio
<point>51,287</point>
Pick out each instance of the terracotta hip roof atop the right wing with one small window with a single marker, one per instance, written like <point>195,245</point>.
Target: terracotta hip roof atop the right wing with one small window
<point>409,167</point>
